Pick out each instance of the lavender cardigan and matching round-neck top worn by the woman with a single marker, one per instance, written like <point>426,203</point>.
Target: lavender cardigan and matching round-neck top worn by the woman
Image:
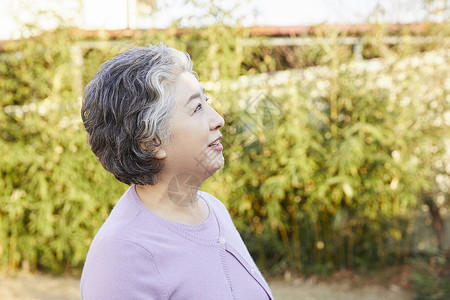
<point>137,254</point>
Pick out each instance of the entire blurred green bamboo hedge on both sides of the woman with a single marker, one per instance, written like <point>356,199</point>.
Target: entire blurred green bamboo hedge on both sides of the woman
<point>324,171</point>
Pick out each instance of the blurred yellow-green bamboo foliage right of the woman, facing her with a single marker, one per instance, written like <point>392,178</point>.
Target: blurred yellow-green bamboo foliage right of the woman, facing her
<point>335,175</point>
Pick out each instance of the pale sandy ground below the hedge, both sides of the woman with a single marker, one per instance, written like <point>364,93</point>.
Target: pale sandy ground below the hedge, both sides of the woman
<point>386,285</point>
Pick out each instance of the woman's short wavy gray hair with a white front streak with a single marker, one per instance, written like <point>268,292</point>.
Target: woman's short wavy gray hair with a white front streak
<point>126,108</point>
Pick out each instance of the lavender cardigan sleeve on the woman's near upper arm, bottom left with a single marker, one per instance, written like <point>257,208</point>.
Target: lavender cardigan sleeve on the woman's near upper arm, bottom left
<point>123,270</point>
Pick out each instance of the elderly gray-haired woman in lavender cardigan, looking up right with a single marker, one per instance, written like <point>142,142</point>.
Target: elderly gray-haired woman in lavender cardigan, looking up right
<point>149,123</point>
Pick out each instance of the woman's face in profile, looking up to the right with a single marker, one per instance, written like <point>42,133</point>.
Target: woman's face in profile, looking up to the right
<point>194,127</point>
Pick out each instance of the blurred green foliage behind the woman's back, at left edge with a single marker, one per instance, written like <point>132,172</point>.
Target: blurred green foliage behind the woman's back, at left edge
<point>48,207</point>
